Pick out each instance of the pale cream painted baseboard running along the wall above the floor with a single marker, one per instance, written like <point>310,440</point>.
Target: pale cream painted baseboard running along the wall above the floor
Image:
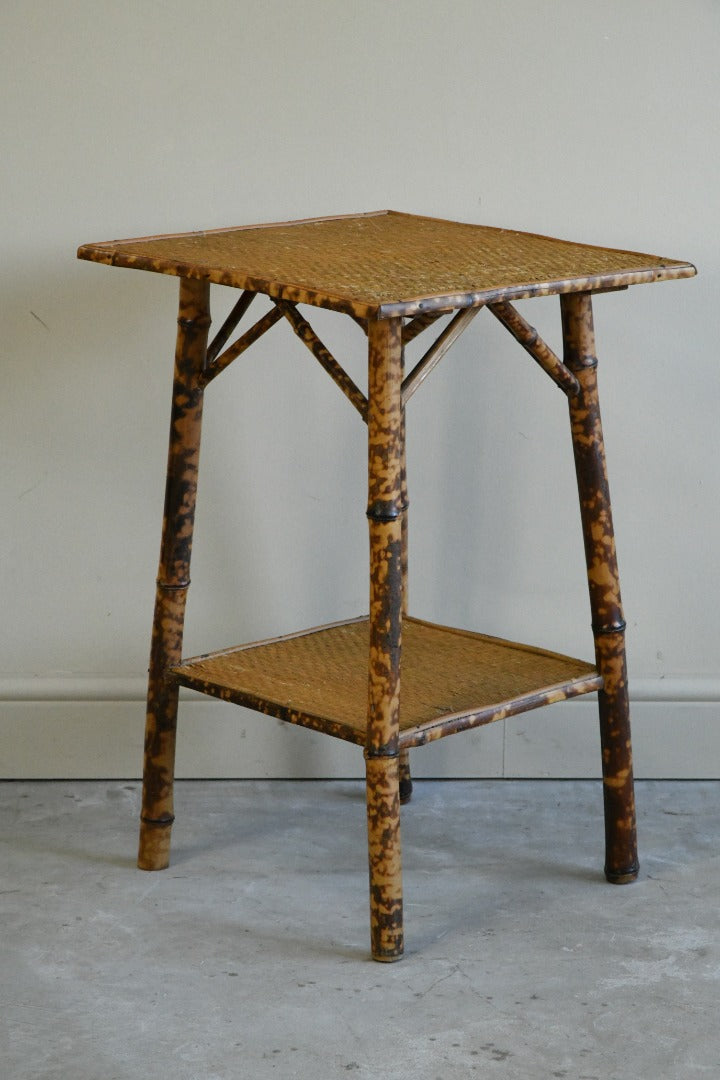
<point>89,728</point>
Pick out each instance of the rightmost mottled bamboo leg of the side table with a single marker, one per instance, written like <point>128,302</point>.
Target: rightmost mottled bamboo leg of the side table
<point>608,623</point>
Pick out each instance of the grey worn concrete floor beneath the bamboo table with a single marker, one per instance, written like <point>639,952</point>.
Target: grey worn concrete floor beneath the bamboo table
<point>249,957</point>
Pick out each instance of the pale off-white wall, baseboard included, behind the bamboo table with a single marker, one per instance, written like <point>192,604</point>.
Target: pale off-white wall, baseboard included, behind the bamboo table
<point>594,123</point>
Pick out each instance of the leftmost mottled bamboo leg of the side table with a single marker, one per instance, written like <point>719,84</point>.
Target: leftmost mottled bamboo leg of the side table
<point>173,576</point>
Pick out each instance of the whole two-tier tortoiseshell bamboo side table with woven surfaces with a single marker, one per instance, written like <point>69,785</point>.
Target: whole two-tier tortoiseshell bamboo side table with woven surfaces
<point>397,276</point>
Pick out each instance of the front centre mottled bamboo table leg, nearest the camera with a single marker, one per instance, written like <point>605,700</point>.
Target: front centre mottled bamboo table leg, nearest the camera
<point>386,512</point>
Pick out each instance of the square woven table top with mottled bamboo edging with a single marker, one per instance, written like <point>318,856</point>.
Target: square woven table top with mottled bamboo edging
<point>388,264</point>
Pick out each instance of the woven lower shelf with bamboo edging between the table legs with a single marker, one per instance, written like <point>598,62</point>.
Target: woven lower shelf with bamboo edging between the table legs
<point>451,681</point>
